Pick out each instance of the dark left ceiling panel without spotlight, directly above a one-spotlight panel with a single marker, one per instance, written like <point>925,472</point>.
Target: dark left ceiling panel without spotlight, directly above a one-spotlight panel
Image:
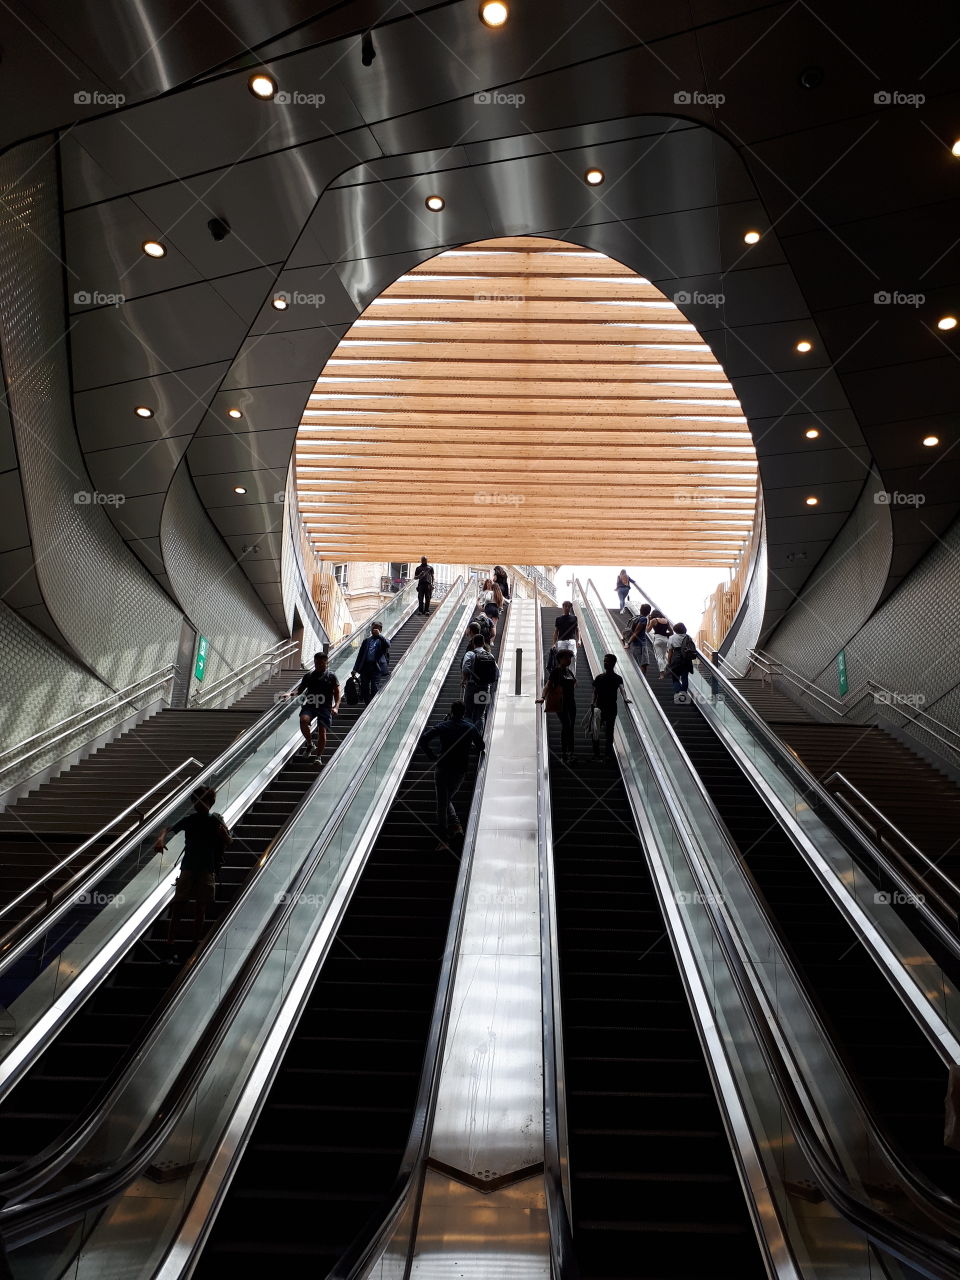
<point>120,345</point>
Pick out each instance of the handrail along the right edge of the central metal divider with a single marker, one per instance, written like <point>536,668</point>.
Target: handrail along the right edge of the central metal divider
<point>564,1265</point>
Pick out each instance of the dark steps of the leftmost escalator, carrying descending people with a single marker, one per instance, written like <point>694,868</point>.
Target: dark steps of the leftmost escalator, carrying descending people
<point>95,1045</point>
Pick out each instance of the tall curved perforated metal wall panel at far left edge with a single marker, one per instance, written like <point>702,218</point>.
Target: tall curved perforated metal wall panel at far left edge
<point>99,595</point>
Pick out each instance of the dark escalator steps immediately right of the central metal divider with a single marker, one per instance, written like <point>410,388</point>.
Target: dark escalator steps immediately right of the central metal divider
<point>655,1190</point>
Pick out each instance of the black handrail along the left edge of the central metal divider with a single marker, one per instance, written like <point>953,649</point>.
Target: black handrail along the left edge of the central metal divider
<point>414,1163</point>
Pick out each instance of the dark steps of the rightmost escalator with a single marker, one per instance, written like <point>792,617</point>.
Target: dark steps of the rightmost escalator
<point>881,1045</point>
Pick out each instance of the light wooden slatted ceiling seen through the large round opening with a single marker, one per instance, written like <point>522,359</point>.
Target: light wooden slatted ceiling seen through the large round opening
<point>525,401</point>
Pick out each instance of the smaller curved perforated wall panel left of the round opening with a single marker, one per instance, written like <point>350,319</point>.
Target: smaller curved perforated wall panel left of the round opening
<point>216,596</point>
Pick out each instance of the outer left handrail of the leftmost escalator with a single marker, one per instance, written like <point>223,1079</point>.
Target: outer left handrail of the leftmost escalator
<point>26,932</point>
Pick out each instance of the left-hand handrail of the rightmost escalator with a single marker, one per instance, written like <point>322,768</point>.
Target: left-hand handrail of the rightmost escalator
<point>917,1247</point>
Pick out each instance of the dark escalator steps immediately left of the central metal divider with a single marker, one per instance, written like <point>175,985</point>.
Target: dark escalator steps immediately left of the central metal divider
<point>328,1144</point>
